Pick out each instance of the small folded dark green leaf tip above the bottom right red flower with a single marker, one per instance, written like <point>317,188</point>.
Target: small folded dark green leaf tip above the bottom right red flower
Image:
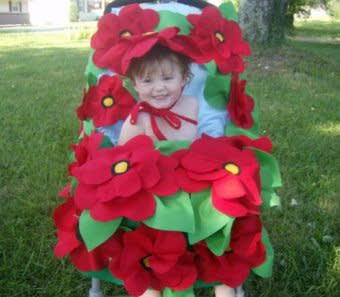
<point>219,241</point>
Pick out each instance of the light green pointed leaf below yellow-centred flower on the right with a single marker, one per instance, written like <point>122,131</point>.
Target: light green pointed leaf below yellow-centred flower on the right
<point>208,220</point>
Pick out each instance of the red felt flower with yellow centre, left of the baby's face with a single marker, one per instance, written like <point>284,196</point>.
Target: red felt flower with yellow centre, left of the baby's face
<point>106,103</point>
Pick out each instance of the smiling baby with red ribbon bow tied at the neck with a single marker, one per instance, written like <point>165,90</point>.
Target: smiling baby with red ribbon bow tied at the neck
<point>162,112</point>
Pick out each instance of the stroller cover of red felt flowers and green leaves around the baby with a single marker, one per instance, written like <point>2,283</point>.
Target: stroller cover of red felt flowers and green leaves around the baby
<point>169,215</point>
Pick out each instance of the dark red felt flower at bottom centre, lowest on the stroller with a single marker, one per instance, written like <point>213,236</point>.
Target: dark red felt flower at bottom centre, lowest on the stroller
<point>155,259</point>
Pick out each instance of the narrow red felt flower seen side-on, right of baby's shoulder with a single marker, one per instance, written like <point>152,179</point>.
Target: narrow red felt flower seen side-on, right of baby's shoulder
<point>240,104</point>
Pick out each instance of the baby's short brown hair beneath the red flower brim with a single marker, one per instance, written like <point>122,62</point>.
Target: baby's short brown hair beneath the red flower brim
<point>157,55</point>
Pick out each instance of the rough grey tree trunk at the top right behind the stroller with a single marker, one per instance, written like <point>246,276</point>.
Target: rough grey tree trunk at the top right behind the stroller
<point>263,21</point>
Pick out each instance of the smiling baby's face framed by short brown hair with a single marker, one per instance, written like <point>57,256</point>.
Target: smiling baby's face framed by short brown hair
<point>161,85</point>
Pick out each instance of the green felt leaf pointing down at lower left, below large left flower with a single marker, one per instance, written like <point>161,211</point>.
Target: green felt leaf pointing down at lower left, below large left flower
<point>94,232</point>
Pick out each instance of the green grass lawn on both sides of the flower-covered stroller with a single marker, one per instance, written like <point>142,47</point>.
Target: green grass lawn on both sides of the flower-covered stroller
<point>298,89</point>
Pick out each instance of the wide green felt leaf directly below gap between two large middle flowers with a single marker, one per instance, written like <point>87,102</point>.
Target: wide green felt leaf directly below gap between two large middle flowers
<point>173,213</point>
